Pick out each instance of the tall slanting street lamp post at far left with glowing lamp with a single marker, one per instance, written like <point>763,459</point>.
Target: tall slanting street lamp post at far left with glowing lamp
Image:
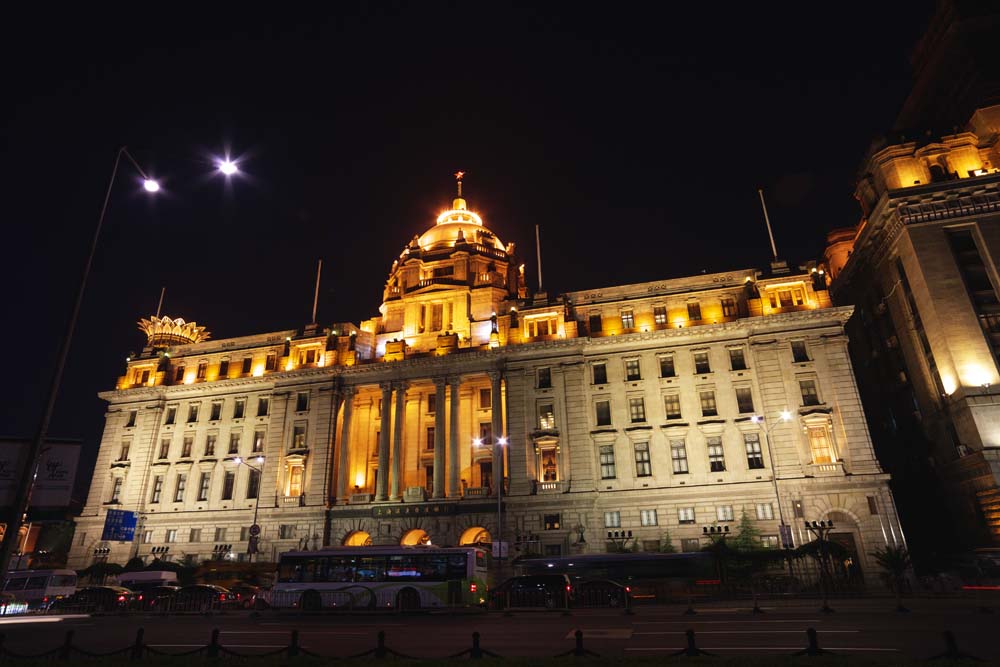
<point>26,481</point>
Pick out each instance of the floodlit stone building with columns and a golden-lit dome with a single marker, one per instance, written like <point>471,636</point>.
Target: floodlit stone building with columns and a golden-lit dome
<point>627,408</point>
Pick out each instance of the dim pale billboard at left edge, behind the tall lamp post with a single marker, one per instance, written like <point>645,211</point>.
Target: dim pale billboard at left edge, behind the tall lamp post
<point>56,471</point>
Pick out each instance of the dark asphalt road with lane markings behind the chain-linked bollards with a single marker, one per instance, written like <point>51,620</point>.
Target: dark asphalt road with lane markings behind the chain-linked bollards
<point>858,627</point>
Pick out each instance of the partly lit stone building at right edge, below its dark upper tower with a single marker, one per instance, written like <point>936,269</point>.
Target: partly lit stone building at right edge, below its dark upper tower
<point>921,271</point>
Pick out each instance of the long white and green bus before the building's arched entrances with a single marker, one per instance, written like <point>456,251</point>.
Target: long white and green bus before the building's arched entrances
<point>401,577</point>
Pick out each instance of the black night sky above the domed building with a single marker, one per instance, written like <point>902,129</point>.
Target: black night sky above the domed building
<point>636,137</point>
